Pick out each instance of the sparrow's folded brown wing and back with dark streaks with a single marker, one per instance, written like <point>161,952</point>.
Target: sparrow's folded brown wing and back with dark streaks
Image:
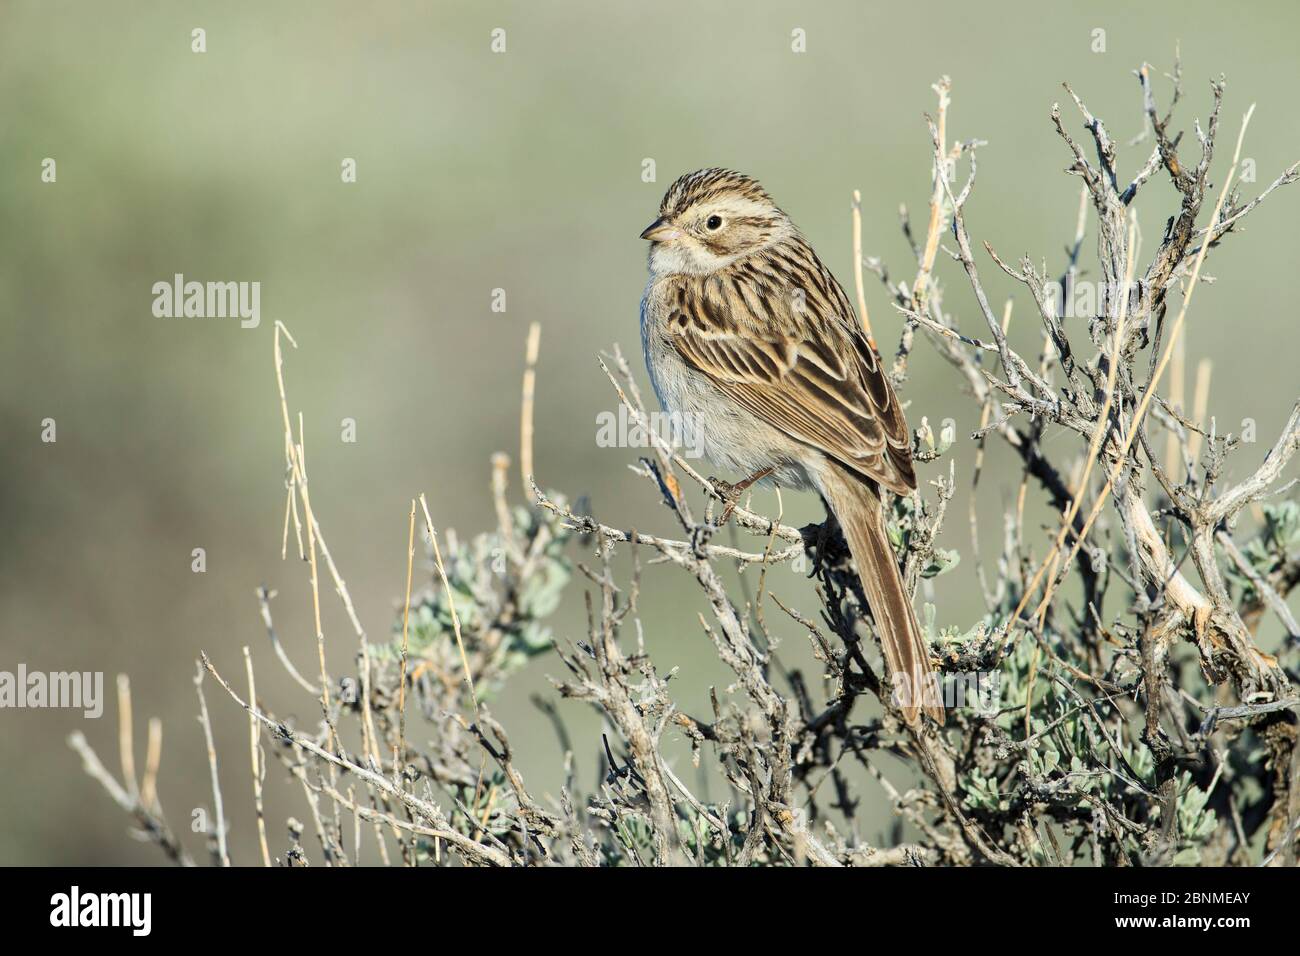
<point>799,362</point>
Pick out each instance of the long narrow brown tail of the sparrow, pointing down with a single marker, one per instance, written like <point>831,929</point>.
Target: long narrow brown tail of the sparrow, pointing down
<point>857,507</point>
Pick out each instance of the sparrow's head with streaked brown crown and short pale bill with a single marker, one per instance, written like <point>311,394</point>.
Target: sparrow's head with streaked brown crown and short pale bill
<point>712,218</point>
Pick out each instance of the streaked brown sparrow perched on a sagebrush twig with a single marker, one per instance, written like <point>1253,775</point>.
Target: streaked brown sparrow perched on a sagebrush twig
<point>749,338</point>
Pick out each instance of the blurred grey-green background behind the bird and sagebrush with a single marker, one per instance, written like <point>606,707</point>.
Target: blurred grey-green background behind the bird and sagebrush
<point>478,171</point>
